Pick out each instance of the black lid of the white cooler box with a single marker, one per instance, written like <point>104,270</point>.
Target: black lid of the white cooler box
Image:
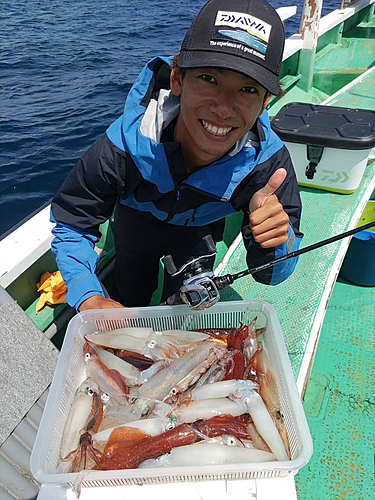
<point>327,126</point>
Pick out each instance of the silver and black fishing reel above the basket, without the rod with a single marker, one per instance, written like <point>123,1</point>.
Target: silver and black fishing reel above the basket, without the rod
<point>200,288</point>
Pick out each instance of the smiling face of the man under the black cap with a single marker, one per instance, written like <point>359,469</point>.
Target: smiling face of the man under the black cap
<point>218,107</point>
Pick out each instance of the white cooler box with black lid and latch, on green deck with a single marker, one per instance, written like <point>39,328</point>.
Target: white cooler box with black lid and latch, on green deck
<point>329,145</point>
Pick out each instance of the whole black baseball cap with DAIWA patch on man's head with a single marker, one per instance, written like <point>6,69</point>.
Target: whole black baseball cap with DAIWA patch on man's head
<point>242,35</point>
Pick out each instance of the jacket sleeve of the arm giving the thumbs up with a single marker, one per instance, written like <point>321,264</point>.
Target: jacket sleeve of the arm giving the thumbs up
<point>288,195</point>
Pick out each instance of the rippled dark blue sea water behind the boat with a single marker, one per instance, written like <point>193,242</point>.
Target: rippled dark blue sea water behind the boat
<point>66,67</point>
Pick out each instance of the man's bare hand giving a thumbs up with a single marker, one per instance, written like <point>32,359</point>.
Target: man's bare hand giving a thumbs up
<point>268,221</point>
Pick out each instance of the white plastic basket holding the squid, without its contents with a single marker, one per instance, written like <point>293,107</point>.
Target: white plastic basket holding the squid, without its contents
<point>70,372</point>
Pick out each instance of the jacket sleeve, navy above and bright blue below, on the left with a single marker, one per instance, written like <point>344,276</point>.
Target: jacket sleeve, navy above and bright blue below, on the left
<point>85,200</point>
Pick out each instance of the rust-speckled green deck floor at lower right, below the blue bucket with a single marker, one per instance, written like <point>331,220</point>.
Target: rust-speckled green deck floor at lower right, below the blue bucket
<point>339,401</point>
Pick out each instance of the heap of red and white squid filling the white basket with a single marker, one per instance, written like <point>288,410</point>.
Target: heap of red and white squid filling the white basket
<point>206,397</point>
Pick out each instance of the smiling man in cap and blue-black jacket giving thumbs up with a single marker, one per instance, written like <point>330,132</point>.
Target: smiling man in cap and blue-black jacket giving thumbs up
<point>193,145</point>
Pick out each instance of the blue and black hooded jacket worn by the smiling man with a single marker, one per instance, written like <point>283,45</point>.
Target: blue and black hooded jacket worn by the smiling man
<point>131,165</point>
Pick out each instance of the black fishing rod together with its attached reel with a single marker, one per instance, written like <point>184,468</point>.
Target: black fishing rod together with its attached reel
<point>200,288</point>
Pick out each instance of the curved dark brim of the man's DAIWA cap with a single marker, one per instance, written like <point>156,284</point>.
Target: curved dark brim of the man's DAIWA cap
<point>209,59</point>
